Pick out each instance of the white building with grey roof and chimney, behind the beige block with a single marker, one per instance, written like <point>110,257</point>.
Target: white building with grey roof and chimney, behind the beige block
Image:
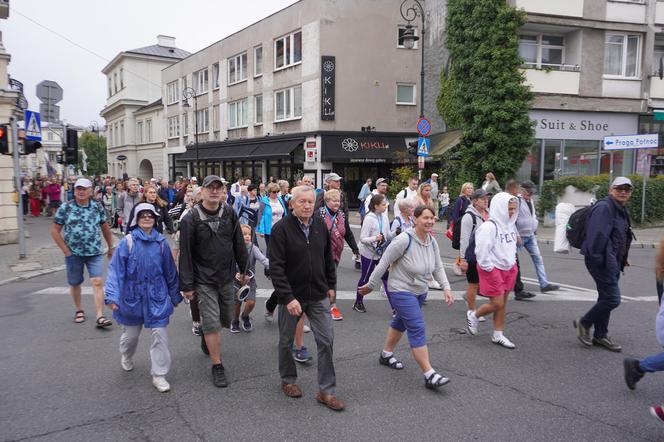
<point>133,88</point>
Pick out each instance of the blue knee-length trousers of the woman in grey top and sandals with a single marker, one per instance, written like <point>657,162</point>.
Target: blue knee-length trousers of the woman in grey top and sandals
<point>409,318</point>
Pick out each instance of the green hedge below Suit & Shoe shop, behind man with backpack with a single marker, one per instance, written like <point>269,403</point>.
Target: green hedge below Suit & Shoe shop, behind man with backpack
<point>551,190</point>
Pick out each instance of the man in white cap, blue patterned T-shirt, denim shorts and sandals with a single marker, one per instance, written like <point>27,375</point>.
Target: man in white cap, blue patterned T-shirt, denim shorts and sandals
<point>84,222</point>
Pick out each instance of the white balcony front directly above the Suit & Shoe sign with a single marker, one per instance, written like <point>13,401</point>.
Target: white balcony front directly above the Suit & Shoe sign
<point>553,79</point>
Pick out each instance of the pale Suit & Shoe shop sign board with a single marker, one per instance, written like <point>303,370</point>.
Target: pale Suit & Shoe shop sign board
<point>581,125</point>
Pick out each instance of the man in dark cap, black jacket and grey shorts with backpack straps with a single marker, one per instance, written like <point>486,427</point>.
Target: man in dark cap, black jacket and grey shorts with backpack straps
<point>210,244</point>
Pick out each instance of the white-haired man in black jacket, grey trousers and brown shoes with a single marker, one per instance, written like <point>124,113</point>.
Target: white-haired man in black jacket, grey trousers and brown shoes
<point>303,275</point>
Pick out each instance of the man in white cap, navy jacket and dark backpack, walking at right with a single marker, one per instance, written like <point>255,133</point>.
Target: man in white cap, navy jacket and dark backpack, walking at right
<point>608,236</point>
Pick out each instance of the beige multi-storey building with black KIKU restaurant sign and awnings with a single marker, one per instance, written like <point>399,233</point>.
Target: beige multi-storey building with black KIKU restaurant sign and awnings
<point>309,89</point>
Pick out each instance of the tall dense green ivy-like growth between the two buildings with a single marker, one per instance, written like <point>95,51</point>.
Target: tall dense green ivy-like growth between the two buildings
<point>484,93</point>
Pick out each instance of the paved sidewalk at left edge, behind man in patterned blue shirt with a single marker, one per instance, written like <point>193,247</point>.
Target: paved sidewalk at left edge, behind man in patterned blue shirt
<point>42,255</point>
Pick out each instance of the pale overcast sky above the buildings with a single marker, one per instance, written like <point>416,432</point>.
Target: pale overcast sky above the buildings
<point>98,30</point>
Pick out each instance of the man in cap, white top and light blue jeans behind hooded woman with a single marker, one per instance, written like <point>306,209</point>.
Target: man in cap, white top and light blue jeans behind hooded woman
<point>526,225</point>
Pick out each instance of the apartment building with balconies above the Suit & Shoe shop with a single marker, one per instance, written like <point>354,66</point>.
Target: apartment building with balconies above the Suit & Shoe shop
<point>593,65</point>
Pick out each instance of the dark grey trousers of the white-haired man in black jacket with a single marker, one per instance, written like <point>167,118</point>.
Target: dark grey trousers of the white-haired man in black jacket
<point>318,313</point>
